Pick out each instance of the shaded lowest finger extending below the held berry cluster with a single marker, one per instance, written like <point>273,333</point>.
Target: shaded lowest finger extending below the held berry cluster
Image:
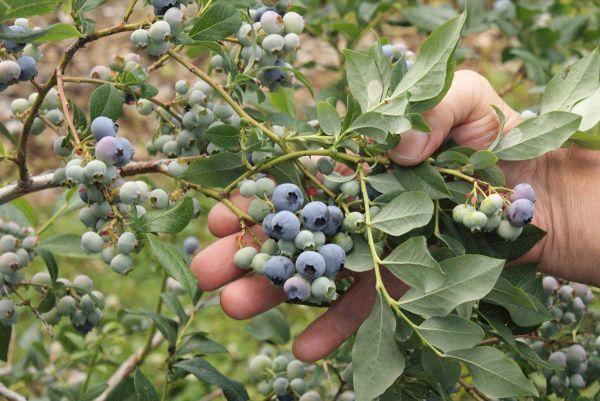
<point>342,319</point>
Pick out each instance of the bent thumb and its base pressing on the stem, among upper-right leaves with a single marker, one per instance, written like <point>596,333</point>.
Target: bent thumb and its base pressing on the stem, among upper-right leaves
<point>465,113</point>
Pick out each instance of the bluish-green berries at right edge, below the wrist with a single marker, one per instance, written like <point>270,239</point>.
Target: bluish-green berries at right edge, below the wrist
<point>577,363</point>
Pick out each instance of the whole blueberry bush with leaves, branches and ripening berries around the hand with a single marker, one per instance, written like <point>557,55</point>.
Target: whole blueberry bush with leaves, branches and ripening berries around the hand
<point>327,206</point>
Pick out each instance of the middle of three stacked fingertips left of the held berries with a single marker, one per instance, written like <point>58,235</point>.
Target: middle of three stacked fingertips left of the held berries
<point>213,265</point>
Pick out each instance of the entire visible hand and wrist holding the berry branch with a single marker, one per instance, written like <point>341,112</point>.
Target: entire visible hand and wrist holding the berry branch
<point>565,183</point>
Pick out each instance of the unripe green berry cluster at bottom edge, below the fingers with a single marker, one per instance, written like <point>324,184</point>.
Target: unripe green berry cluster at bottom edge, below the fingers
<point>281,375</point>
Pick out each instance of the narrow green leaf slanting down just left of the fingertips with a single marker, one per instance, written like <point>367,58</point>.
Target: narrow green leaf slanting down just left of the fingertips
<point>170,260</point>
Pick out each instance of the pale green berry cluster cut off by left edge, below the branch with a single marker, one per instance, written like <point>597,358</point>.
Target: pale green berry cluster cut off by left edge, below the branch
<point>17,246</point>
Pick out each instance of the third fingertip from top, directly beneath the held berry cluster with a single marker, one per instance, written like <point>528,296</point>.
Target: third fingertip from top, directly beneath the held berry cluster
<point>250,296</point>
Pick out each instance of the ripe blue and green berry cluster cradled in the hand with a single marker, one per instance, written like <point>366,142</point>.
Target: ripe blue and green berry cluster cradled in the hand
<point>304,252</point>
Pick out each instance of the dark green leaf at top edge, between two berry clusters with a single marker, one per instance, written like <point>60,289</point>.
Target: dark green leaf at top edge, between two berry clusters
<point>216,23</point>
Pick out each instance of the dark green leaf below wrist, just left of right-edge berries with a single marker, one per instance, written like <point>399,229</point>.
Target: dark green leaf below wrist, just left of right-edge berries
<point>524,309</point>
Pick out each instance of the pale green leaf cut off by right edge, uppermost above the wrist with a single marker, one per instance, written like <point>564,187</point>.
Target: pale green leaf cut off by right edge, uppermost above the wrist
<point>580,81</point>
